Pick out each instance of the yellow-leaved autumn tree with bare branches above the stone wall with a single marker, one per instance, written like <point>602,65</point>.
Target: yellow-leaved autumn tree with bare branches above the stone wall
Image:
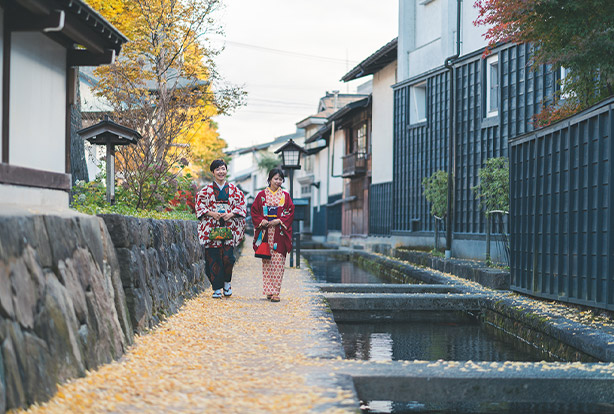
<point>165,85</point>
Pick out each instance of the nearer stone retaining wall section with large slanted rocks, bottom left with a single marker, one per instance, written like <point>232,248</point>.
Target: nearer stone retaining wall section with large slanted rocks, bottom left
<point>62,306</point>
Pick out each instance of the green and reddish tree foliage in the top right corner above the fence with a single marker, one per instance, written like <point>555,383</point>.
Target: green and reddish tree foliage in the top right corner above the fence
<point>577,35</point>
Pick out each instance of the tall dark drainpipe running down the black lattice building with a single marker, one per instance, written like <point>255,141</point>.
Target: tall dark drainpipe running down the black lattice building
<point>448,63</point>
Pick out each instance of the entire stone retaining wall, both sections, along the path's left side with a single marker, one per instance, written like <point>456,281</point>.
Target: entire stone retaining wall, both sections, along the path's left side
<point>75,288</point>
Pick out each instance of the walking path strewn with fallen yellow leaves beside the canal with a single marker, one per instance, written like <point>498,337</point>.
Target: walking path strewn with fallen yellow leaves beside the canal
<point>243,354</point>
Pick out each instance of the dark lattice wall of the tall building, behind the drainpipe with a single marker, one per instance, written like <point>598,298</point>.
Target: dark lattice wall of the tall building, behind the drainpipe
<point>422,149</point>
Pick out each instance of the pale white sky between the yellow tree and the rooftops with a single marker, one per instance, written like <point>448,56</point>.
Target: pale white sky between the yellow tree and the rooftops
<point>288,53</point>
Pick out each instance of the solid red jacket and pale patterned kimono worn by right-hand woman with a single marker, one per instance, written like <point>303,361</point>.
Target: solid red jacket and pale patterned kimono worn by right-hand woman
<point>279,237</point>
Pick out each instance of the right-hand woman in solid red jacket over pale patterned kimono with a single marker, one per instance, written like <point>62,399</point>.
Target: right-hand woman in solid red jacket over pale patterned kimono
<point>273,213</point>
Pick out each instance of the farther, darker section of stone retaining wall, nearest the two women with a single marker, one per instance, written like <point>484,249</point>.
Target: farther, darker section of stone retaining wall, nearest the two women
<point>161,263</point>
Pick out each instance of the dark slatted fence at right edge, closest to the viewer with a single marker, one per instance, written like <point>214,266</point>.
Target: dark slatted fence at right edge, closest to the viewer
<point>561,221</point>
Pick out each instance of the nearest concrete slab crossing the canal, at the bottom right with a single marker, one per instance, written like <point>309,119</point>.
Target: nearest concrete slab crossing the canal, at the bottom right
<point>480,386</point>
